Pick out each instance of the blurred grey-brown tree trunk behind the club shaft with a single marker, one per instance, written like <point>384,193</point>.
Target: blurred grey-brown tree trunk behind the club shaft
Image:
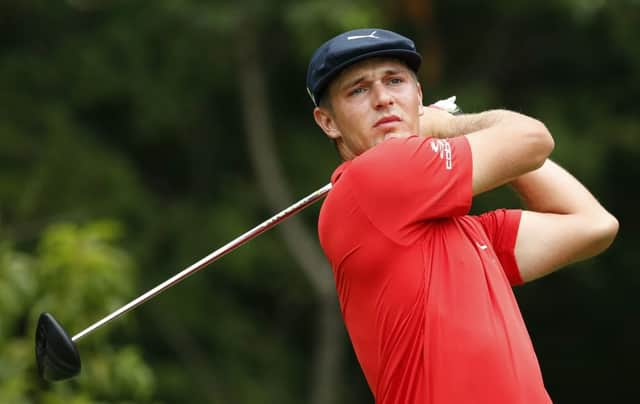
<point>330,337</point>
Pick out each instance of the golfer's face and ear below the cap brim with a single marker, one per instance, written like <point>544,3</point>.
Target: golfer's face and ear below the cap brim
<point>371,101</point>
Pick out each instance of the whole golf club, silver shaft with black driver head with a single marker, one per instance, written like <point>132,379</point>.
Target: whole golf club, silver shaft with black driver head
<point>56,353</point>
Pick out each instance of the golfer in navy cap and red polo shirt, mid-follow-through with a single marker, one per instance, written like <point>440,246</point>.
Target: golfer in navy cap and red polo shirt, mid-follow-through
<point>425,289</point>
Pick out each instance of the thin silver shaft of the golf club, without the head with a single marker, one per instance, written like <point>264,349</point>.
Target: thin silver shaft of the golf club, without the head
<point>230,246</point>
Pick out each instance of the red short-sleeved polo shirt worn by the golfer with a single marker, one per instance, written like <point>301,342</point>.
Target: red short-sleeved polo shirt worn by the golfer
<point>424,288</point>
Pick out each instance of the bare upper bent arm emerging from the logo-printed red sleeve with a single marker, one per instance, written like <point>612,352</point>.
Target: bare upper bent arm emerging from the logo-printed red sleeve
<point>504,144</point>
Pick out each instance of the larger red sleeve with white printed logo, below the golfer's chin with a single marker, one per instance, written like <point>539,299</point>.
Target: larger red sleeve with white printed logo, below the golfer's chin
<point>403,182</point>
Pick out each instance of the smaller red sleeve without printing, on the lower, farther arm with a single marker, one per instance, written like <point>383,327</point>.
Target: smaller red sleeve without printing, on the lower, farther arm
<point>501,227</point>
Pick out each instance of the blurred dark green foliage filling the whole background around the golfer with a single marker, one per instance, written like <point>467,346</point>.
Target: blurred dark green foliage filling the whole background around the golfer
<point>123,159</point>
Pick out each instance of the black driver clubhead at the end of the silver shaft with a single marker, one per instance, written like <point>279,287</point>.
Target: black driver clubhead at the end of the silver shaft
<point>56,354</point>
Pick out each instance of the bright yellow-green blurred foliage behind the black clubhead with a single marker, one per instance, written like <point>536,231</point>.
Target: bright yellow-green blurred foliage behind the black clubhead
<point>77,273</point>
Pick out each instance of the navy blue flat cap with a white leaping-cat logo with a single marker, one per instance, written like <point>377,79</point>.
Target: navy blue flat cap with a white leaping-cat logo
<point>353,46</point>
